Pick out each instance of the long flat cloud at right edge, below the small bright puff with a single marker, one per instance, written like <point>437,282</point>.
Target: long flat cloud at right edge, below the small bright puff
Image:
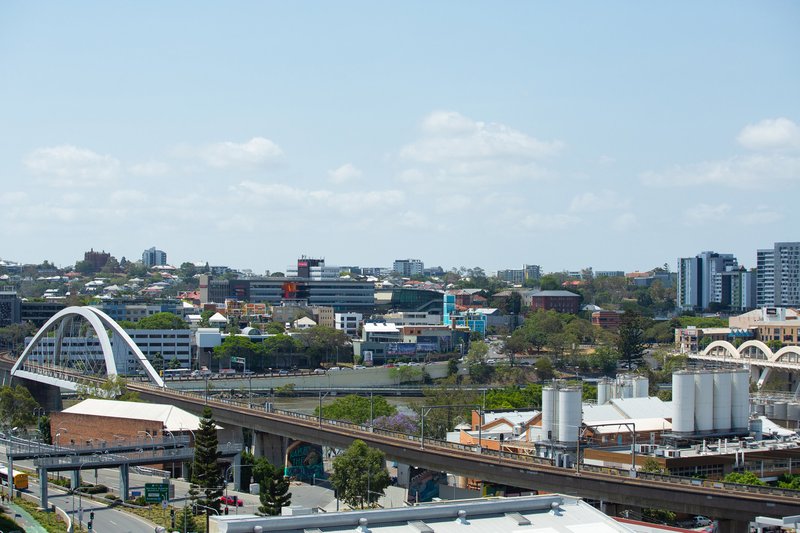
<point>743,172</point>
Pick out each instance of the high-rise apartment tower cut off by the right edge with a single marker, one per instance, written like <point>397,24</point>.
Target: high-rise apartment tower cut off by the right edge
<point>778,278</point>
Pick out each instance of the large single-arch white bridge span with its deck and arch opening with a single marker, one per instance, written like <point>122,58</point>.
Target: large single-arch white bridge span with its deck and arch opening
<point>68,344</point>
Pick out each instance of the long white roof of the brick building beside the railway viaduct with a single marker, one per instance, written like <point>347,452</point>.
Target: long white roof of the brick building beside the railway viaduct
<point>172,418</point>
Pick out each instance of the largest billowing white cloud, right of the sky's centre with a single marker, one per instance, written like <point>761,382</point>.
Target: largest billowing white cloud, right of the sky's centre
<point>456,149</point>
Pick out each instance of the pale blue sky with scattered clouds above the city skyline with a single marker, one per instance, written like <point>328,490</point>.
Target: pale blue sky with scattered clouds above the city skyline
<point>616,135</point>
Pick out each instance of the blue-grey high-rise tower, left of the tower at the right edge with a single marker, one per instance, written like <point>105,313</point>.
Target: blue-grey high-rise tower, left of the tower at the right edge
<point>699,281</point>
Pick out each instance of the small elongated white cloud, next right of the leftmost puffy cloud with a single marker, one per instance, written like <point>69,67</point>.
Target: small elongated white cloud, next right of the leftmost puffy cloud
<point>256,152</point>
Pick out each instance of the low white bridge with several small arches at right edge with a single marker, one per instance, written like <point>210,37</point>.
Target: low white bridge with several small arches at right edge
<point>753,354</point>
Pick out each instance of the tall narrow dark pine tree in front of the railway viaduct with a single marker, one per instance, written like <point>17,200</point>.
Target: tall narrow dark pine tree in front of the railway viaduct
<point>205,472</point>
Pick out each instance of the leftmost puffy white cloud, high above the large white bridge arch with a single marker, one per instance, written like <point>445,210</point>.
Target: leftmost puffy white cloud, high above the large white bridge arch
<point>70,166</point>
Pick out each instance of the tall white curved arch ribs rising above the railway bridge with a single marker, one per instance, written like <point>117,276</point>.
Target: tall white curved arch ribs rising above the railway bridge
<point>99,322</point>
